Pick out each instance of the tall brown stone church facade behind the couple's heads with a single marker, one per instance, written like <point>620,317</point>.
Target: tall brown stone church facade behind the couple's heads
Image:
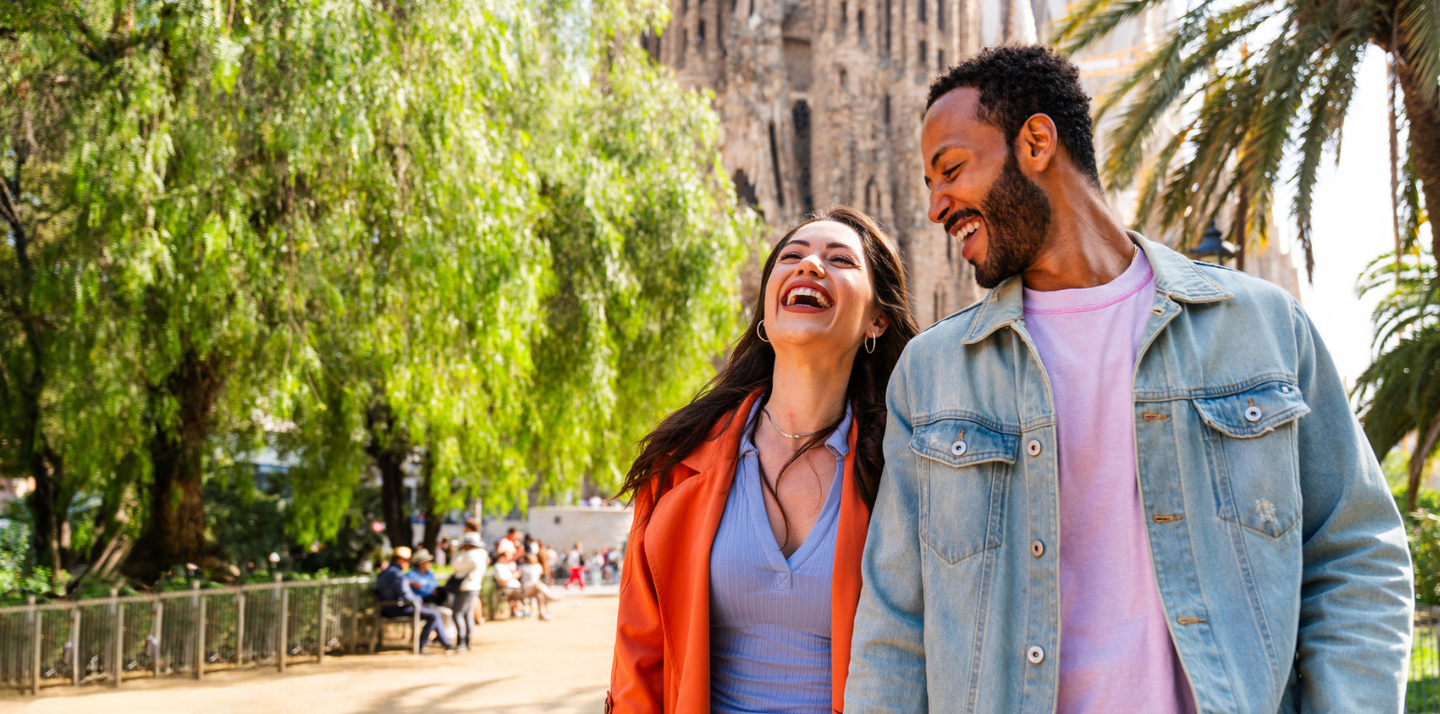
<point>822,100</point>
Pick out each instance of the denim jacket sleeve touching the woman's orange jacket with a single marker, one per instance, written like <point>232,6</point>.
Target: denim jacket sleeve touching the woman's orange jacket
<point>888,654</point>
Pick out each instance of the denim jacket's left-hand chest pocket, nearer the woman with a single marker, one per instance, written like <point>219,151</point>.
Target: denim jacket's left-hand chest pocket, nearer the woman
<point>967,473</point>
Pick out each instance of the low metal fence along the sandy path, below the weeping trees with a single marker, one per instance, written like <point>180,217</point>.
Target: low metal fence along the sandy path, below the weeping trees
<point>189,633</point>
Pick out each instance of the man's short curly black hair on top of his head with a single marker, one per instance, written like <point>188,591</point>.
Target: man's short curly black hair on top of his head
<point>1020,81</point>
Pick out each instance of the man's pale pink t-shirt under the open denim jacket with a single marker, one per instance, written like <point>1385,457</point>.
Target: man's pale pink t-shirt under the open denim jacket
<point>1115,650</point>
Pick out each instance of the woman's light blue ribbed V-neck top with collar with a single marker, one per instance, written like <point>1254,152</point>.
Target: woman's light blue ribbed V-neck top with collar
<point>770,615</point>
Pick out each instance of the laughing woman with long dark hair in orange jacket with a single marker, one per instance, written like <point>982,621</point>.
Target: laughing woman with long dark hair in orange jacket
<point>751,503</point>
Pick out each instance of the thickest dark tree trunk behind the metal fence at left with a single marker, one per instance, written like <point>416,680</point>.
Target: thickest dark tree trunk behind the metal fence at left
<point>175,530</point>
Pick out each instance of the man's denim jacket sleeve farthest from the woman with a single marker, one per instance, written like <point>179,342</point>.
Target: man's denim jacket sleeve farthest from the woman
<point>1357,592</point>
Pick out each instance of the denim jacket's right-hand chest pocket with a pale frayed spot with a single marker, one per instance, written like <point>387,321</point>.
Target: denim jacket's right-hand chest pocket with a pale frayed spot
<point>1254,451</point>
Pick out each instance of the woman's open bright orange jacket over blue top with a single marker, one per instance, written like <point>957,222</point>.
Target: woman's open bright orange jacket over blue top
<point>663,636</point>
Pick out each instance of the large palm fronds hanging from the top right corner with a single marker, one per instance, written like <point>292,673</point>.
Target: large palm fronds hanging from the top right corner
<point>1251,109</point>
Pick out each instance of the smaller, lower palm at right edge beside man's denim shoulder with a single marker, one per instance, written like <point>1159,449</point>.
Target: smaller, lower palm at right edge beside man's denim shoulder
<point>1400,392</point>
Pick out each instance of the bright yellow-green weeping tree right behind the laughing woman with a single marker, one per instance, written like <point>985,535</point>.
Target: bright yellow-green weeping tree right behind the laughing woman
<point>548,264</point>
